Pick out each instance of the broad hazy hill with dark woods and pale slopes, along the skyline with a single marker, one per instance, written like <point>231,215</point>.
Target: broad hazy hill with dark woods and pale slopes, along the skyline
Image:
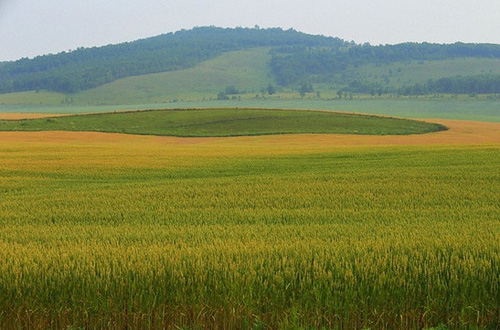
<point>199,64</point>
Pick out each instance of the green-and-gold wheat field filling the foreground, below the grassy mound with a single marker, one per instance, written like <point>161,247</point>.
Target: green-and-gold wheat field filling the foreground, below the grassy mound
<point>111,231</point>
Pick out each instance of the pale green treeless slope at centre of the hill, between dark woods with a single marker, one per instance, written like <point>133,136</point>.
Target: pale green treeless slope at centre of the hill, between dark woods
<point>246,70</point>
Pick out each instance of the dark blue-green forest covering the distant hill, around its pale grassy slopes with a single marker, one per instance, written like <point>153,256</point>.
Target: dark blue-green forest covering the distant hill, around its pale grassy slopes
<point>297,59</point>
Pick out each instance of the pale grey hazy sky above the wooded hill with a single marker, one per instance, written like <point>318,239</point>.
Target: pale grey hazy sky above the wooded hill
<point>34,27</point>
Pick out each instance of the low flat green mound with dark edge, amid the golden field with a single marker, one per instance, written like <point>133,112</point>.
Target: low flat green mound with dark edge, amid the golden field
<point>224,122</point>
